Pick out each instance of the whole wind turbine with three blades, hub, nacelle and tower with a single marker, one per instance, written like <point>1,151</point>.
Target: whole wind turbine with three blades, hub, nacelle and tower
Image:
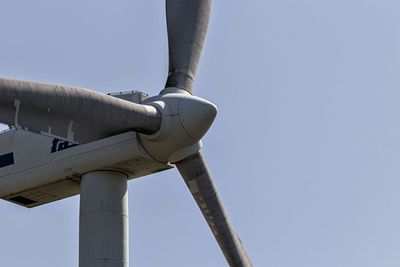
<point>67,140</point>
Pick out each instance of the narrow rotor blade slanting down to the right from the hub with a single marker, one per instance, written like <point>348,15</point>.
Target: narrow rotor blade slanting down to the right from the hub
<point>198,178</point>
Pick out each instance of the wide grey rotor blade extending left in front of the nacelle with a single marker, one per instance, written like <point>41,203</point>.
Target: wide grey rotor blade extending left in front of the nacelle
<point>74,113</point>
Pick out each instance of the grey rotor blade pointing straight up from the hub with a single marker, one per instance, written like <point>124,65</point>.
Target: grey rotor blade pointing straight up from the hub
<point>187,22</point>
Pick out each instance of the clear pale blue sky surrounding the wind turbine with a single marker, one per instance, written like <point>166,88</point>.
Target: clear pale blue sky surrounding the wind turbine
<point>305,150</point>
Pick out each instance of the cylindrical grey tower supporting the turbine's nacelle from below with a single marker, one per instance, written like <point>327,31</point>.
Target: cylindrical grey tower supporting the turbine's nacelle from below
<point>103,222</point>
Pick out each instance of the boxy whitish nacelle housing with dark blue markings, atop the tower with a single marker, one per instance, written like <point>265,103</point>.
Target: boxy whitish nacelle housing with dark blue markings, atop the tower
<point>37,168</point>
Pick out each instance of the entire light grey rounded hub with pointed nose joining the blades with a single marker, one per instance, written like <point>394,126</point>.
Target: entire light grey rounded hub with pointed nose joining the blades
<point>185,120</point>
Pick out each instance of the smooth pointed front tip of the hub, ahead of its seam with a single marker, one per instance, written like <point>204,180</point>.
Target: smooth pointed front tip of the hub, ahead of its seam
<point>196,115</point>
